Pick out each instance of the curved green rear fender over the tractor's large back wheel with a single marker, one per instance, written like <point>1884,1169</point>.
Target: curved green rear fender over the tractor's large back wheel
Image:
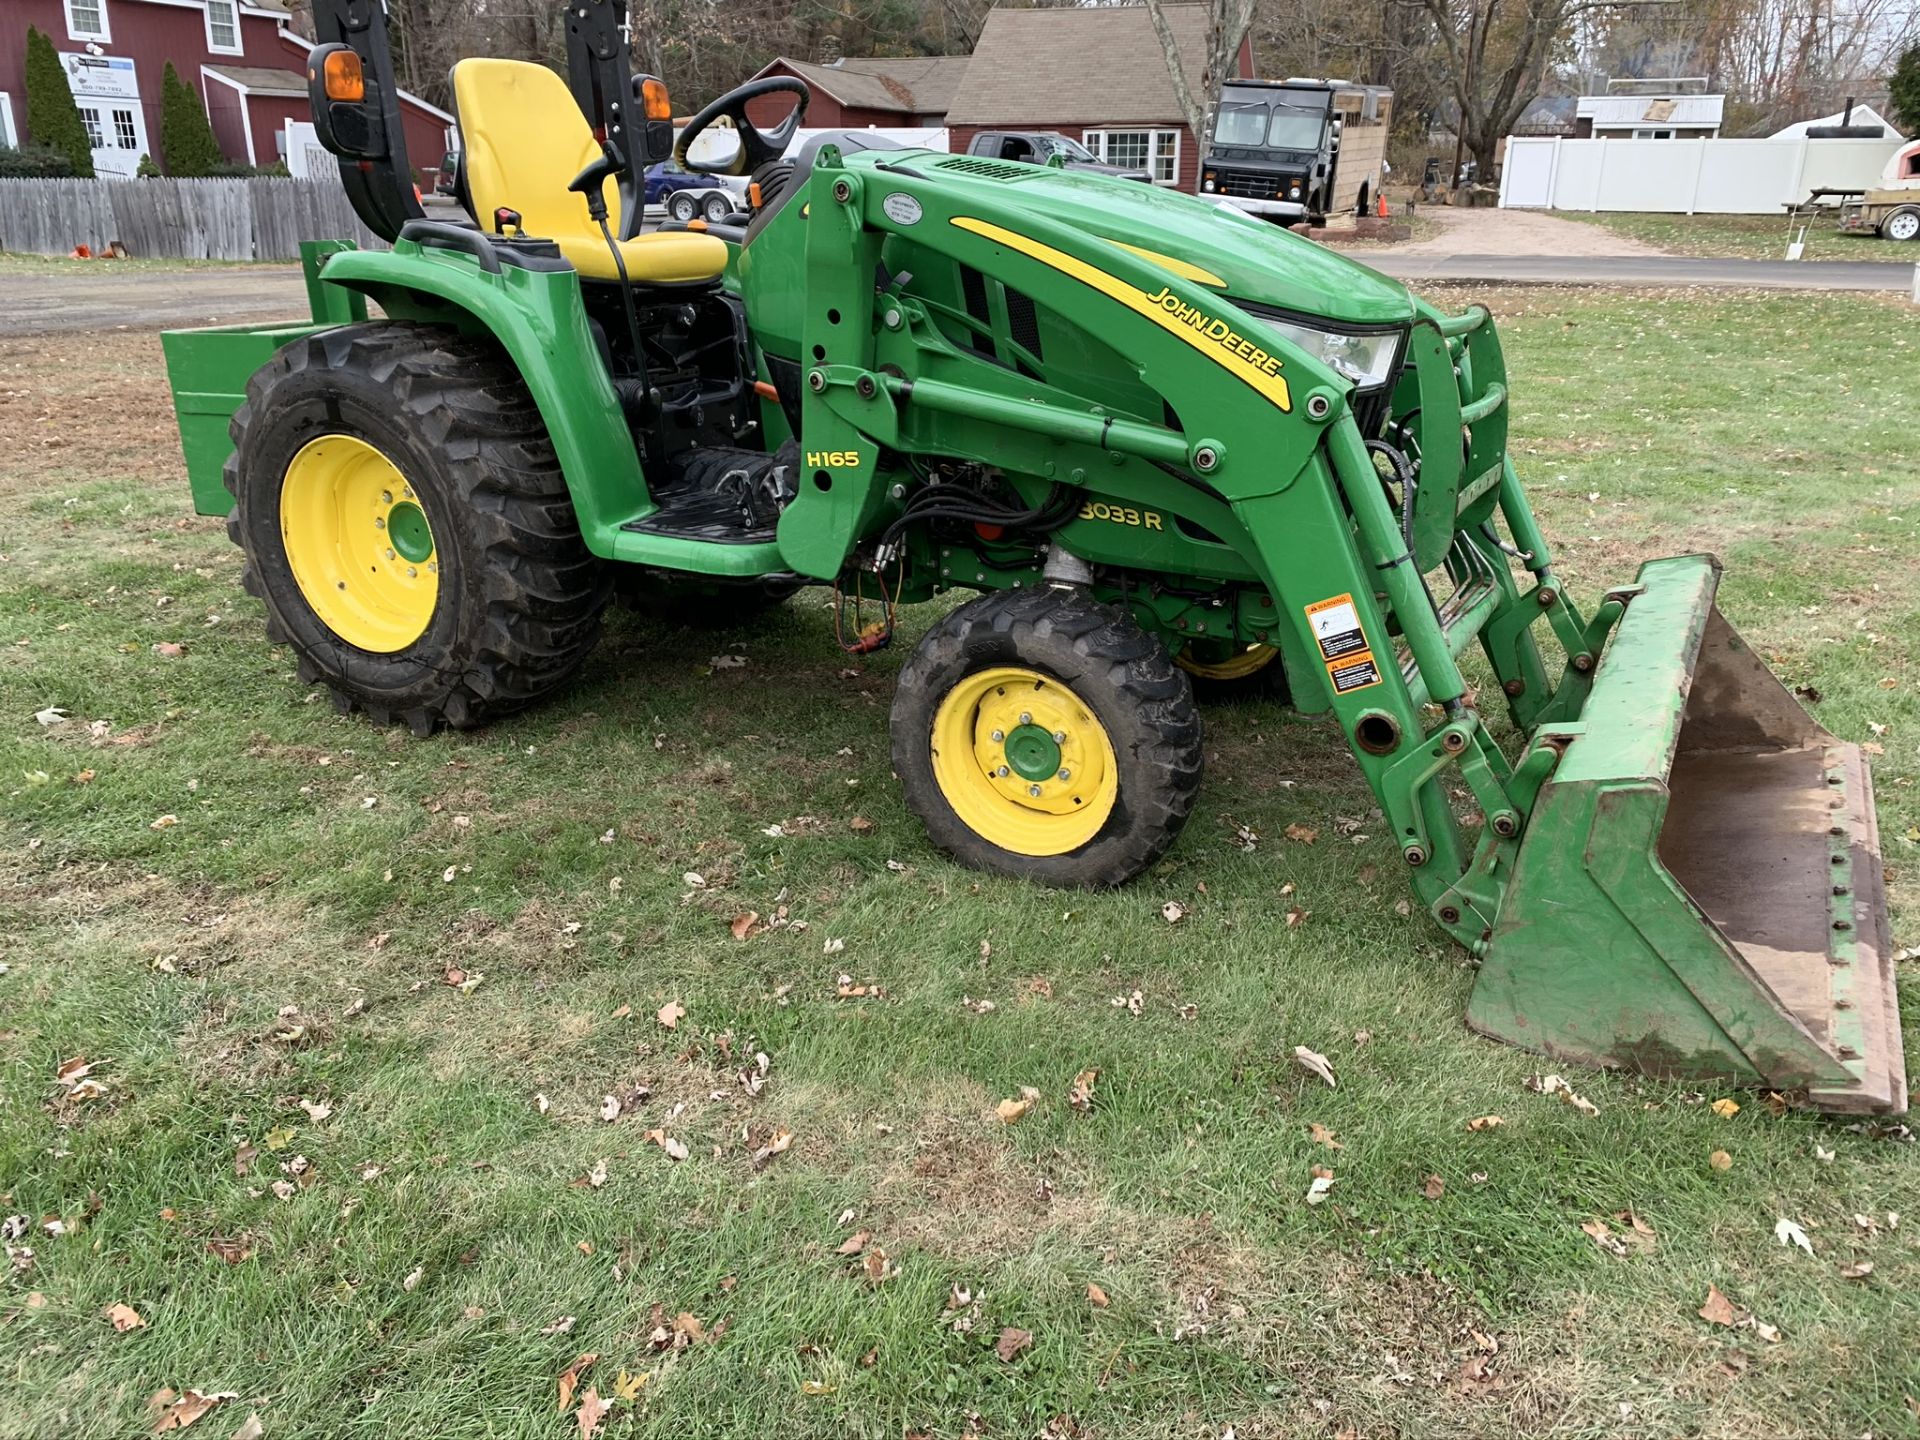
<point>539,320</point>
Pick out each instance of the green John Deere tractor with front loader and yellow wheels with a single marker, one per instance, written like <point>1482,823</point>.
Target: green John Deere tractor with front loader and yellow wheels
<point>1157,441</point>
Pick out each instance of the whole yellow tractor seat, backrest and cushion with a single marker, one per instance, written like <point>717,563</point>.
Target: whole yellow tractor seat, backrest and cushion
<point>525,141</point>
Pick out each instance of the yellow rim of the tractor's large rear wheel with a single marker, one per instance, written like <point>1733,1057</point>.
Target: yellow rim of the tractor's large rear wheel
<point>360,544</point>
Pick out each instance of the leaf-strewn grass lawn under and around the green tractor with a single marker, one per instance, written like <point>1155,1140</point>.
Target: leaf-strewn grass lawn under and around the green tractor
<point>356,1005</point>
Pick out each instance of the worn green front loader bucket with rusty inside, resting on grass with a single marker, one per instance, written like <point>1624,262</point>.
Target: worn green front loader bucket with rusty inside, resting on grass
<point>1698,894</point>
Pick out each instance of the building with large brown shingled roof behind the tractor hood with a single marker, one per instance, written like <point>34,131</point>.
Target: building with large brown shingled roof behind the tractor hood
<point>1095,74</point>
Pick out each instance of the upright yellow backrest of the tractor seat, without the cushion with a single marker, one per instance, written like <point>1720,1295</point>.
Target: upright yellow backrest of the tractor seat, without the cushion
<point>525,139</point>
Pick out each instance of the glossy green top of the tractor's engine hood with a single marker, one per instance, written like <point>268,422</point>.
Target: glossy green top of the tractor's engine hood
<point>1259,260</point>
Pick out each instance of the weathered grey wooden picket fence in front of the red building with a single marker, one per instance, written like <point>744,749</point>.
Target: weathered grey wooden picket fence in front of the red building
<point>256,218</point>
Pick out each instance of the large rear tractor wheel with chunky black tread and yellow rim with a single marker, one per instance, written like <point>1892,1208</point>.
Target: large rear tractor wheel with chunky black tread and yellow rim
<point>516,600</point>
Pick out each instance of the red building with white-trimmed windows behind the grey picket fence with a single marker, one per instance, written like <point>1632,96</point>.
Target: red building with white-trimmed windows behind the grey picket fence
<point>241,57</point>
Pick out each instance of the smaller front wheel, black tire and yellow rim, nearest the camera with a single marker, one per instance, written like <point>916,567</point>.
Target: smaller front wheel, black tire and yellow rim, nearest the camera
<point>1047,736</point>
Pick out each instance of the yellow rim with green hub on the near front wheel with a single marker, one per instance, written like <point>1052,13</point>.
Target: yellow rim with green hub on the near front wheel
<point>1024,761</point>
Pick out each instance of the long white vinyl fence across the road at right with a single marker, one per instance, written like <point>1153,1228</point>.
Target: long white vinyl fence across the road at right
<point>1717,178</point>
